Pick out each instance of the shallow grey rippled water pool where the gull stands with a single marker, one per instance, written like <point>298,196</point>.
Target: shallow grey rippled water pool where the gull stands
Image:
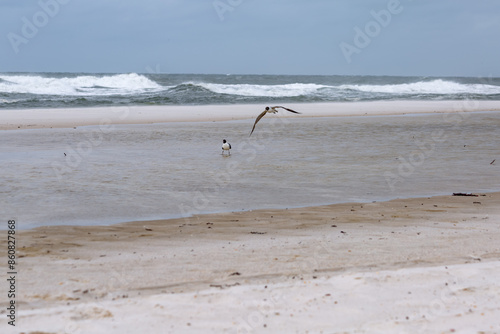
<point>139,172</point>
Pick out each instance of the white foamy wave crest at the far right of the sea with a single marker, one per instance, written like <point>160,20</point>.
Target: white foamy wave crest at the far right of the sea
<point>428,87</point>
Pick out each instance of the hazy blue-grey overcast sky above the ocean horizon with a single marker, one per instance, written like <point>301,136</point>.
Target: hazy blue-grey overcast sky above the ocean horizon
<point>309,37</point>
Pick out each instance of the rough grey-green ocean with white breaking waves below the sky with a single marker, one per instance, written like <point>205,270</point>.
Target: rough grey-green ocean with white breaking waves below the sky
<point>63,90</point>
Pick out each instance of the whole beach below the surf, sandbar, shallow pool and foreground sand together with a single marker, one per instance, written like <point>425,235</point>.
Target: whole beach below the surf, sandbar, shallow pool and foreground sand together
<point>338,220</point>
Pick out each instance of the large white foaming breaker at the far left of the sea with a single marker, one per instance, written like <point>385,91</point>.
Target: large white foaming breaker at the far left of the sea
<point>119,84</point>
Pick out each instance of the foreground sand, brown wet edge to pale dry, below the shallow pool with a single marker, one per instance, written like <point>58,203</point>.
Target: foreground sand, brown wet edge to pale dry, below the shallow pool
<point>427,265</point>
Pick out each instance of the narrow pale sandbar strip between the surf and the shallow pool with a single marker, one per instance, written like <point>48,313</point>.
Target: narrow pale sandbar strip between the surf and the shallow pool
<point>13,119</point>
